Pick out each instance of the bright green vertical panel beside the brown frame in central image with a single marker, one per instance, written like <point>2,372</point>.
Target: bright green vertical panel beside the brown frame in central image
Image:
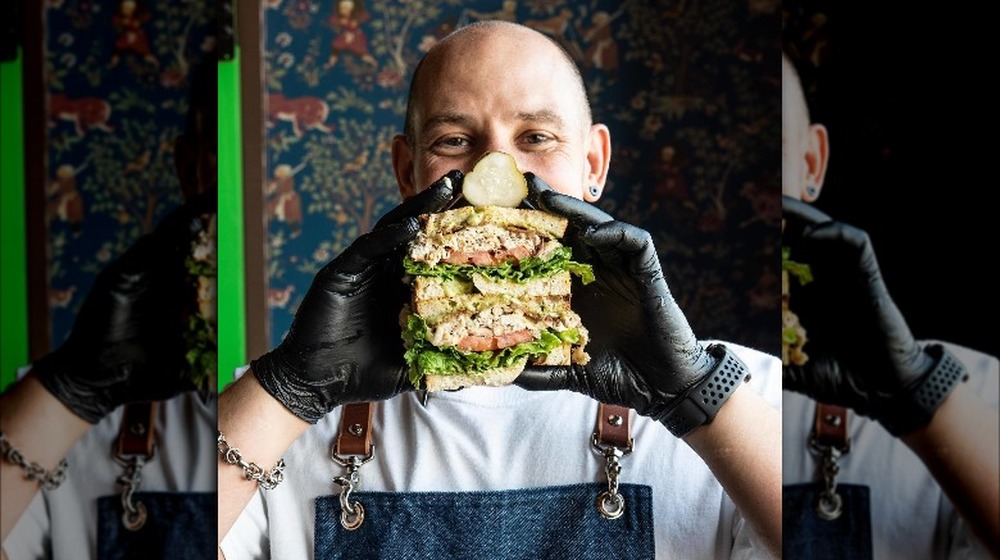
<point>232,311</point>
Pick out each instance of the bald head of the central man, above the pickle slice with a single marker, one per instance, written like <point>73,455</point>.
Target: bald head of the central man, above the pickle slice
<point>499,86</point>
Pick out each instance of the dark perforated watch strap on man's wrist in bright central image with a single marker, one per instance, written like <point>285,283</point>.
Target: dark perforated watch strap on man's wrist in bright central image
<point>699,404</point>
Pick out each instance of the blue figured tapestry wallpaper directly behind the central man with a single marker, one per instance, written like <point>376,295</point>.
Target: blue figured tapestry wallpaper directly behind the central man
<point>690,91</point>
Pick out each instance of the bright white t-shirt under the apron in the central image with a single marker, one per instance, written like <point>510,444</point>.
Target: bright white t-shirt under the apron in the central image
<point>461,441</point>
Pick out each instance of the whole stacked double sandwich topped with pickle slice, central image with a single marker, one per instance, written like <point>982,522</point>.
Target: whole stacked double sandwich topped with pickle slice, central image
<point>490,290</point>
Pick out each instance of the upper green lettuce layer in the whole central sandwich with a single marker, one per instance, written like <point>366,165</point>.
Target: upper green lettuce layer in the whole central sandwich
<point>523,271</point>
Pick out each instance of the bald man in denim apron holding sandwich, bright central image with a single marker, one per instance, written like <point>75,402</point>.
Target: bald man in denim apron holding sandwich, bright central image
<point>501,472</point>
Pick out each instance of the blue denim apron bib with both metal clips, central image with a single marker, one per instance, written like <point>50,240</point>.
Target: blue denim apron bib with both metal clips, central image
<point>560,522</point>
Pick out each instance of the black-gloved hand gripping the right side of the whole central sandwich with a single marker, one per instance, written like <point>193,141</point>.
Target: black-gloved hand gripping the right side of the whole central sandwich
<point>644,354</point>
